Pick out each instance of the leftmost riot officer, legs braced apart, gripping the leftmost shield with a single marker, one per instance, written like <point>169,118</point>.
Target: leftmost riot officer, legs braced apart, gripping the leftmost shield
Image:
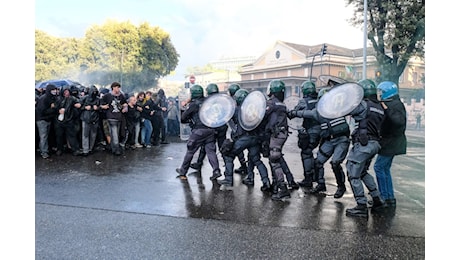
<point>201,135</point>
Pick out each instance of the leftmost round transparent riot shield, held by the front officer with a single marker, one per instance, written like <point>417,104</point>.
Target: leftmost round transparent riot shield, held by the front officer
<point>217,110</point>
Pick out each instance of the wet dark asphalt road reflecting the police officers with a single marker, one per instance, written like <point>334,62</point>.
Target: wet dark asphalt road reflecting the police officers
<point>133,207</point>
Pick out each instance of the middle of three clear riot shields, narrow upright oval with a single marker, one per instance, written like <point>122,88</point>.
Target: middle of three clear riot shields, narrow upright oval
<point>252,110</point>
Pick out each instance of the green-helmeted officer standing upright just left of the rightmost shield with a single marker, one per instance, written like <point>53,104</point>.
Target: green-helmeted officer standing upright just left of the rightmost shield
<point>309,134</point>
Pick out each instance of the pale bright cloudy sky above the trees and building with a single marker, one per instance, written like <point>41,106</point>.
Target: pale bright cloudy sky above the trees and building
<point>206,30</point>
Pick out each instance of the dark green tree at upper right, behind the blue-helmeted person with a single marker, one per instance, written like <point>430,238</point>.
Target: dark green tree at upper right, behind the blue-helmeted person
<point>396,30</point>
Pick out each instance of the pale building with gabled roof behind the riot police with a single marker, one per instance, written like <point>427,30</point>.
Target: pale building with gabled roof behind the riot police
<point>292,63</point>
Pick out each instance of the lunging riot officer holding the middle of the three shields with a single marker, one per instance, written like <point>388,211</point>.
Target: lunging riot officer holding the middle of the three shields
<point>240,141</point>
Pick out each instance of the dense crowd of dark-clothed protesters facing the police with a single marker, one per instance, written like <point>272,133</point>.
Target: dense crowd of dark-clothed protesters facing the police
<point>81,120</point>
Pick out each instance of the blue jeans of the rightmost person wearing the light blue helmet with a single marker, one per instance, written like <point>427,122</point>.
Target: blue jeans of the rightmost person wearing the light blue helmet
<point>382,168</point>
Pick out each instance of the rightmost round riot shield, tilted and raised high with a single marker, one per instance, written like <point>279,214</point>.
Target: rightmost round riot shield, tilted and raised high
<point>340,100</point>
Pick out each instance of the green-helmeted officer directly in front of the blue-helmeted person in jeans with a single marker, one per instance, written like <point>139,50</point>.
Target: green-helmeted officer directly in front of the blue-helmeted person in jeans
<point>368,116</point>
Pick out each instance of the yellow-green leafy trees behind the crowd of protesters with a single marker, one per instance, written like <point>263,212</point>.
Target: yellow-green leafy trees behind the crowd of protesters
<point>116,51</point>
